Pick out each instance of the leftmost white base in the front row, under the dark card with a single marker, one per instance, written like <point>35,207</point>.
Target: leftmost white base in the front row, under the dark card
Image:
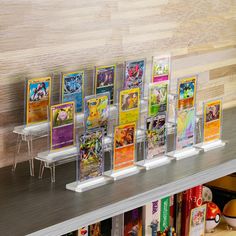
<point>88,184</point>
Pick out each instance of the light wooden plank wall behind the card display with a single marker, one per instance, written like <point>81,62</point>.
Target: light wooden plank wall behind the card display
<point>38,37</point>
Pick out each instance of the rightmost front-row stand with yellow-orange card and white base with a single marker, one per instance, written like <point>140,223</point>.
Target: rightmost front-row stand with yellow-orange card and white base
<point>211,125</point>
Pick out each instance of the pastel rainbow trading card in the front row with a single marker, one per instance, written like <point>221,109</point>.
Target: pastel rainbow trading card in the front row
<point>185,128</point>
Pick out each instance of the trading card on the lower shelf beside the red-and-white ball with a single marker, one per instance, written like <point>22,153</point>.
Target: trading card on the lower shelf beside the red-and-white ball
<point>197,221</point>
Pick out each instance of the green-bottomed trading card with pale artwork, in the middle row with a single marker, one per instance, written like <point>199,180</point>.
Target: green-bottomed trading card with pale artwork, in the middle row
<point>158,96</point>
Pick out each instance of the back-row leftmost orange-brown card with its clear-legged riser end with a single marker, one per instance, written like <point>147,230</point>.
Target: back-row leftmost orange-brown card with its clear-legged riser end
<point>37,93</point>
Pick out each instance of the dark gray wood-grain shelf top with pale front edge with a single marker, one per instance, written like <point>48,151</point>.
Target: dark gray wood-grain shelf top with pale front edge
<point>32,206</point>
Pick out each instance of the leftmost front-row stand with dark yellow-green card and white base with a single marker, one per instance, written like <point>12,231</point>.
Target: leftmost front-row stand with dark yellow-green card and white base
<point>90,175</point>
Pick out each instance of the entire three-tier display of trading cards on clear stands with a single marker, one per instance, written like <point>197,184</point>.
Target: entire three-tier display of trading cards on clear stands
<point>134,131</point>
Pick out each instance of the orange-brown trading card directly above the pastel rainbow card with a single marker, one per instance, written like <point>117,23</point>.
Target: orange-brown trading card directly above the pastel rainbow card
<point>186,92</point>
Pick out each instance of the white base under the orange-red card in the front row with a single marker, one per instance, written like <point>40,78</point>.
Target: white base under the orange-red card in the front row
<point>120,174</point>
